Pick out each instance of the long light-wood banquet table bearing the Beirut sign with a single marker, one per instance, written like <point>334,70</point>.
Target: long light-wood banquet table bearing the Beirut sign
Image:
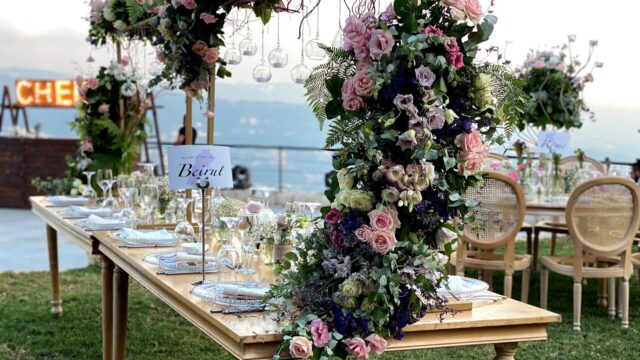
<point>254,335</point>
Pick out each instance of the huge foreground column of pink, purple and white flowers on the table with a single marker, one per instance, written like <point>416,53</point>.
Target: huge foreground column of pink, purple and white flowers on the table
<point>411,115</point>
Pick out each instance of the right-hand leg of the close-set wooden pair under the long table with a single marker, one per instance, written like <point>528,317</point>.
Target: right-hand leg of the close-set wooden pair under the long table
<point>120,299</point>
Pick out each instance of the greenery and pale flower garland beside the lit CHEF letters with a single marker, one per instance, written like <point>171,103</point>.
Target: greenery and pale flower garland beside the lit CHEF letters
<point>104,144</point>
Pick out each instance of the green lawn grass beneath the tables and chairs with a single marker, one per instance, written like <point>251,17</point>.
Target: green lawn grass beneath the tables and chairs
<point>27,330</point>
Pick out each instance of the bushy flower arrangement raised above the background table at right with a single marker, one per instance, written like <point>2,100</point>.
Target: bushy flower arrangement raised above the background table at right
<point>555,81</point>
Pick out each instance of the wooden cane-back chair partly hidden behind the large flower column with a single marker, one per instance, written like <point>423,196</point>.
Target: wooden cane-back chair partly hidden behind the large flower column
<point>495,222</point>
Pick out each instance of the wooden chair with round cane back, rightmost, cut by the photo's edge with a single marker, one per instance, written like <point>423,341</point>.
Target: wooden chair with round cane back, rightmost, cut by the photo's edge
<point>602,218</point>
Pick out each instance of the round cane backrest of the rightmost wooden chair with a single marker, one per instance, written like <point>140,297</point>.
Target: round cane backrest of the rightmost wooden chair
<point>603,215</point>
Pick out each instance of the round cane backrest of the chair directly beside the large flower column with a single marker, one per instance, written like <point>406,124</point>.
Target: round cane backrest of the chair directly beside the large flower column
<point>499,213</point>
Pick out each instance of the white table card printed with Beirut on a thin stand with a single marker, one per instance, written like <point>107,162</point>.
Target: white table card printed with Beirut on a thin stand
<point>190,163</point>
